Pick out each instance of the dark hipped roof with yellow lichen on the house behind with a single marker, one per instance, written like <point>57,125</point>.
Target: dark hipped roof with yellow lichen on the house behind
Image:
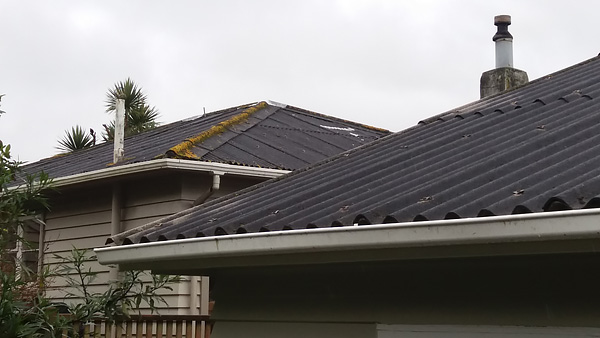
<point>263,134</point>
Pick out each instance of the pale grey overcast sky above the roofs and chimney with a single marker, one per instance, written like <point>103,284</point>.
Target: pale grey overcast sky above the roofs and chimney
<point>383,63</point>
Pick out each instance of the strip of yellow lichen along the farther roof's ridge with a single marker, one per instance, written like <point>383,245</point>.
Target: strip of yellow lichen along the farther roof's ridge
<point>184,149</point>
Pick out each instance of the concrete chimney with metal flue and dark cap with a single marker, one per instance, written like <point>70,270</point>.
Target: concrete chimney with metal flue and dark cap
<point>504,77</point>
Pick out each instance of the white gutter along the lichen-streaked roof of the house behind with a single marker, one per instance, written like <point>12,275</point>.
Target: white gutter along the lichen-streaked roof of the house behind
<point>168,163</point>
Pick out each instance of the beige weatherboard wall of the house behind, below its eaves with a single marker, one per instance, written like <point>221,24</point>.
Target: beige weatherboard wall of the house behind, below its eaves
<point>81,217</point>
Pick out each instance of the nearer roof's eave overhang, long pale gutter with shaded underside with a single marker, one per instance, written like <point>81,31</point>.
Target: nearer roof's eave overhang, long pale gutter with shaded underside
<point>537,233</point>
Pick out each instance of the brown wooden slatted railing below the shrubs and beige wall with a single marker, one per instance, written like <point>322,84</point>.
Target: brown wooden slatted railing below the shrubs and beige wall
<point>146,326</point>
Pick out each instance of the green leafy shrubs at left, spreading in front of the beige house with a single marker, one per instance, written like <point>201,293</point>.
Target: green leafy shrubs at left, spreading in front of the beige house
<point>25,311</point>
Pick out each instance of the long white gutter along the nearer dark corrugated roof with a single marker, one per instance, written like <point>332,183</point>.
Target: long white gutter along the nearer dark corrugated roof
<point>526,228</point>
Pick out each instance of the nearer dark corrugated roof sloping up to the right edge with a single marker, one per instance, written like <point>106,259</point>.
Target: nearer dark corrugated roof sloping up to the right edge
<point>532,149</point>
